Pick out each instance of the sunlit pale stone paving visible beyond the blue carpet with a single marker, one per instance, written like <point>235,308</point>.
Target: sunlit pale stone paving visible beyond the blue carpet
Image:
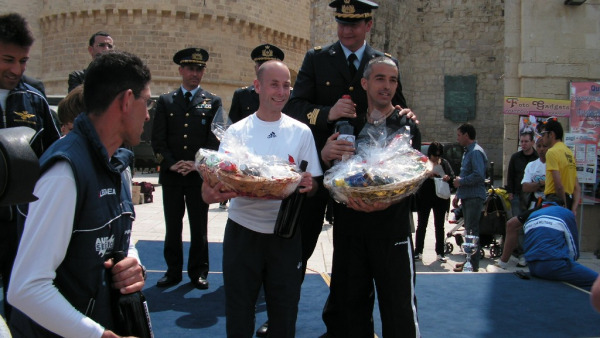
<point>149,225</point>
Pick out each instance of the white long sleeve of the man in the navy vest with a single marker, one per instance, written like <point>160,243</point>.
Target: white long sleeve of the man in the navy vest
<point>46,237</point>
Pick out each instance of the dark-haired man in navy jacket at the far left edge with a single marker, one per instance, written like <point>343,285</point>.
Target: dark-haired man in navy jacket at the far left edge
<point>21,105</point>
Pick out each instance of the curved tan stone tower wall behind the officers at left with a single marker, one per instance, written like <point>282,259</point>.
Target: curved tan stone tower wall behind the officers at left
<point>155,30</point>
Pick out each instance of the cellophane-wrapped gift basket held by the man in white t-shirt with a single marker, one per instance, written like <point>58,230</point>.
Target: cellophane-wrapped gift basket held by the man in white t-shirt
<point>248,174</point>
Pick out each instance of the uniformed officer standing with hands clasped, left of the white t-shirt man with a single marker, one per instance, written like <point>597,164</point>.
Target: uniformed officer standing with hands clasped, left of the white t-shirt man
<point>181,127</point>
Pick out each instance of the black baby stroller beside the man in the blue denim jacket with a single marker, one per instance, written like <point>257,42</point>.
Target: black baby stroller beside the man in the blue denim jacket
<point>492,225</point>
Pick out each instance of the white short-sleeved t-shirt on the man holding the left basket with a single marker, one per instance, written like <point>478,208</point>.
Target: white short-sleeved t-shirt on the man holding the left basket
<point>283,138</point>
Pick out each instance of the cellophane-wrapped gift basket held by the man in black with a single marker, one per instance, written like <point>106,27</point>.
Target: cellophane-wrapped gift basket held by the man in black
<point>385,168</point>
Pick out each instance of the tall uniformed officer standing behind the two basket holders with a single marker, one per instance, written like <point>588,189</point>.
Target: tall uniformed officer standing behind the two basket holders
<point>328,74</point>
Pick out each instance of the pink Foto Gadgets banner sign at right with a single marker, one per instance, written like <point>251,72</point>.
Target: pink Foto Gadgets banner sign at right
<point>536,107</point>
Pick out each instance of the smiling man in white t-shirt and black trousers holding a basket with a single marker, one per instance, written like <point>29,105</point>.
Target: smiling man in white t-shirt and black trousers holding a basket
<point>253,256</point>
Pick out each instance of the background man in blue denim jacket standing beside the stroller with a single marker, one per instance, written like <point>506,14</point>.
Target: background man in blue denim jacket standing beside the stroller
<point>470,185</point>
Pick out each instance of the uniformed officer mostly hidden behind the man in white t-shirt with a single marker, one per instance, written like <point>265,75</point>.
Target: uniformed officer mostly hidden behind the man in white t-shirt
<point>245,100</point>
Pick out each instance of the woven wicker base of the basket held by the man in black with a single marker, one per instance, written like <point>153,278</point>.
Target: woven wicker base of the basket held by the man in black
<point>382,193</point>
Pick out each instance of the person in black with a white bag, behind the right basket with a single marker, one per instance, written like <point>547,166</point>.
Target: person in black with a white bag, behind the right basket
<point>427,200</point>
